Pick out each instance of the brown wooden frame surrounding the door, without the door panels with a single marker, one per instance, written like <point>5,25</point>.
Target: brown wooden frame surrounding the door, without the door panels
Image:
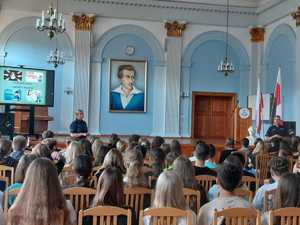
<point>211,94</point>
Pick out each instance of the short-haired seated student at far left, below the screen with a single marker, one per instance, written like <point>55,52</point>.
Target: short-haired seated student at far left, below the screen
<point>18,146</point>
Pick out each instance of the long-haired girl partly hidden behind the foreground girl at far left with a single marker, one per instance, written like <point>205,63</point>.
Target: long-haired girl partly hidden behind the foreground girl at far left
<point>22,167</point>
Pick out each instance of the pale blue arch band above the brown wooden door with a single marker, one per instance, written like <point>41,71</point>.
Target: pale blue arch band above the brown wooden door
<point>234,43</point>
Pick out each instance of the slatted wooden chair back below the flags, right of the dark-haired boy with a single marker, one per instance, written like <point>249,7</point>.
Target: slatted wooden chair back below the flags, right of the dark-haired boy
<point>262,167</point>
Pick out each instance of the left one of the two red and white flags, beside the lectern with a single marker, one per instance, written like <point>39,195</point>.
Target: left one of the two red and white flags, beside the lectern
<point>259,107</point>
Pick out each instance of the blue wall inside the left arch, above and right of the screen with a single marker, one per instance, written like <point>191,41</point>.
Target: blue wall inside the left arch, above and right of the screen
<point>30,48</point>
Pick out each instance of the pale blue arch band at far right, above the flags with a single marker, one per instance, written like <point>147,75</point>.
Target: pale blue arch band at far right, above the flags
<point>282,29</point>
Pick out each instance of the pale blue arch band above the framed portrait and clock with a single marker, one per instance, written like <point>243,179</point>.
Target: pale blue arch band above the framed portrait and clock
<point>129,29</point>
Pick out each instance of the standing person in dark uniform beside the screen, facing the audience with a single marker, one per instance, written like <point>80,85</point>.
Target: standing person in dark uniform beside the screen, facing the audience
<point>78,127</point>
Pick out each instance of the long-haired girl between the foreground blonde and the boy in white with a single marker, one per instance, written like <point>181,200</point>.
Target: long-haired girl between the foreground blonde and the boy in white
<point>183,167</point>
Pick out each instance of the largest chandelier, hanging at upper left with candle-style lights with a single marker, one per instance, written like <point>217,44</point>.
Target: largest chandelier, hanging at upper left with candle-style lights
<point>51,21</point>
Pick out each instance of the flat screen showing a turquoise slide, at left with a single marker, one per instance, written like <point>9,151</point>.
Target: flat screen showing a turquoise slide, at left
<point>26,86</point>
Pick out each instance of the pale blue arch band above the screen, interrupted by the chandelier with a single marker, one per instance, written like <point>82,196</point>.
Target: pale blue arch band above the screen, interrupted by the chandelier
<point>22,23</point>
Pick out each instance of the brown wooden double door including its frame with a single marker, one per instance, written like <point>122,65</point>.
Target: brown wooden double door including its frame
<point>213,115</point>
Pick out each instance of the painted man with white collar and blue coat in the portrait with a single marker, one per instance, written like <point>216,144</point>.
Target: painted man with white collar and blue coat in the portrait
<point>126,96</point>
